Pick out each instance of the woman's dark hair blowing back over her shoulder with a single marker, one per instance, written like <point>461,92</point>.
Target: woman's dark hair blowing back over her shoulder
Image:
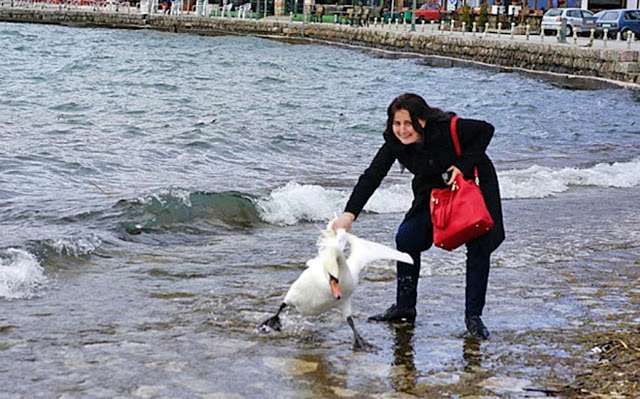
<point>418,109</point>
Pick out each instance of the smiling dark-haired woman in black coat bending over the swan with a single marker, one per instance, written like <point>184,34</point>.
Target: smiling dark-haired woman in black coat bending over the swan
<point>418,136</point>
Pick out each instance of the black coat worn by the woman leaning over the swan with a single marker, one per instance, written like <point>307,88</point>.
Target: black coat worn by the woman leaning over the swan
<point>427,161</point>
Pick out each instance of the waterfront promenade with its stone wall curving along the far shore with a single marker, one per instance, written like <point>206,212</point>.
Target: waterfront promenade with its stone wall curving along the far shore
<point>578,63</point>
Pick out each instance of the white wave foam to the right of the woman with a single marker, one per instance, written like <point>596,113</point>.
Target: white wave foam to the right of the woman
<point>540,182</point>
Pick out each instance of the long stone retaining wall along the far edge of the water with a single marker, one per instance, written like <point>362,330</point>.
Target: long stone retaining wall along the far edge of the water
<point>596,65</point>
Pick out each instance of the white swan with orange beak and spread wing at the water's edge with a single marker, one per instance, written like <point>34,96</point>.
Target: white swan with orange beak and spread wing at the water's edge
<point>330,279</point>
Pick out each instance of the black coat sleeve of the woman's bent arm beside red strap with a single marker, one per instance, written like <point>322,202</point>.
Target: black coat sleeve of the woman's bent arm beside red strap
<point>474,137</point>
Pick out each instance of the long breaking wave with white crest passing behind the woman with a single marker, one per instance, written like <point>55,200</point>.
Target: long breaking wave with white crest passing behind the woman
<point>197,212</point>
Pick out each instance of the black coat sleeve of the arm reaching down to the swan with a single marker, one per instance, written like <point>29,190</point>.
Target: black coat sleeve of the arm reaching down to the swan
<point>370,180</point>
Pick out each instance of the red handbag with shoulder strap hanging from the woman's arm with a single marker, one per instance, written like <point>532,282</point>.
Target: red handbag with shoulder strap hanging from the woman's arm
<point>459,213</point>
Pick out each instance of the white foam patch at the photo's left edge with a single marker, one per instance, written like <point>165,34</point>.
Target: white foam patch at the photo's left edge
<point>20,274</point>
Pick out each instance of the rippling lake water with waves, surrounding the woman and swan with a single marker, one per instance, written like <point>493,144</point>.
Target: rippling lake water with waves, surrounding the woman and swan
<point>159,192</point>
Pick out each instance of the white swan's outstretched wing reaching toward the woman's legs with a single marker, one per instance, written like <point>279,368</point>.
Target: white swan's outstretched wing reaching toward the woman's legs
<point>364,252</point>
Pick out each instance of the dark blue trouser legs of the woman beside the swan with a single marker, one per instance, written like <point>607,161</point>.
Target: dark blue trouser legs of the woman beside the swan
<point>415,235</point>
